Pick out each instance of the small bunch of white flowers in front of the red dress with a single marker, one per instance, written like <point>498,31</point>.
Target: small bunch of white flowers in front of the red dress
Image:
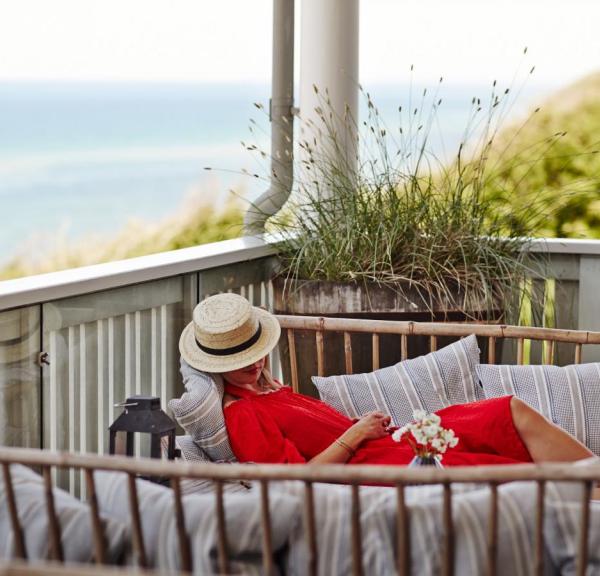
<point>427,438</point>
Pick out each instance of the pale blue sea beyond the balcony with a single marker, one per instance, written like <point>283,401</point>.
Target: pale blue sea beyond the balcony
<point>84,159</point>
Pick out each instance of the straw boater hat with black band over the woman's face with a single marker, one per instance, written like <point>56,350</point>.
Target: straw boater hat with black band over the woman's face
<point>228,333</point>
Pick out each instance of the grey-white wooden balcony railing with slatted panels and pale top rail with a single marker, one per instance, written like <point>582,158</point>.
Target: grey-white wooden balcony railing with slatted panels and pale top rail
<point>74,343</point>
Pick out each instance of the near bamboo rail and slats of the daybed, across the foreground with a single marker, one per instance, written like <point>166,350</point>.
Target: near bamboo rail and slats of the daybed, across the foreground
<point>266,475</point>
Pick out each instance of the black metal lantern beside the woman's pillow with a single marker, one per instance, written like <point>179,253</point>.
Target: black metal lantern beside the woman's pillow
<point>143,415</point>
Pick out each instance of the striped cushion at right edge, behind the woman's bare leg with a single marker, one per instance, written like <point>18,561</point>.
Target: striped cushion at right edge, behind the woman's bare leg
<point>568,396</point>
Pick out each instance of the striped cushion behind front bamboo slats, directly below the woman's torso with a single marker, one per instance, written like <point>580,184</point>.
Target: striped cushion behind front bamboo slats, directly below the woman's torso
<point>161,537</point>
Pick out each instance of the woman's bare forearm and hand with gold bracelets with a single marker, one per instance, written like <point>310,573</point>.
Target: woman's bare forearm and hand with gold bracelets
<point>370,426</point>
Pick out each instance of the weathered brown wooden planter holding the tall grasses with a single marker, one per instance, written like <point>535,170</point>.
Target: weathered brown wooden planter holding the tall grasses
<point>354,300</point>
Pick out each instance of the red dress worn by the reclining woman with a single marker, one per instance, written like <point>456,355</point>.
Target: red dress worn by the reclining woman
<point>285,427</point>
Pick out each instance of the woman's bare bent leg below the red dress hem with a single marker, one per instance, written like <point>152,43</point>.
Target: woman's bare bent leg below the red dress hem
<point>545,441</point>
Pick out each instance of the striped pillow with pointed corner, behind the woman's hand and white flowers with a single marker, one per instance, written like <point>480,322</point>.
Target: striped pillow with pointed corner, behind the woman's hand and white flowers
<point>429,382</point>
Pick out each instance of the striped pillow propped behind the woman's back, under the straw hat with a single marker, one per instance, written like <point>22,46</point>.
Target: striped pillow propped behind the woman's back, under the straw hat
<point>200,413</point>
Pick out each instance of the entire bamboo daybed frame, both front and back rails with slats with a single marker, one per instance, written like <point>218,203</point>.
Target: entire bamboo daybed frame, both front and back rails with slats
<point>309,474</point>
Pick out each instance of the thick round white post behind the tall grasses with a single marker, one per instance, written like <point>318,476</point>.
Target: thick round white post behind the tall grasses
<point>329,62</point>
